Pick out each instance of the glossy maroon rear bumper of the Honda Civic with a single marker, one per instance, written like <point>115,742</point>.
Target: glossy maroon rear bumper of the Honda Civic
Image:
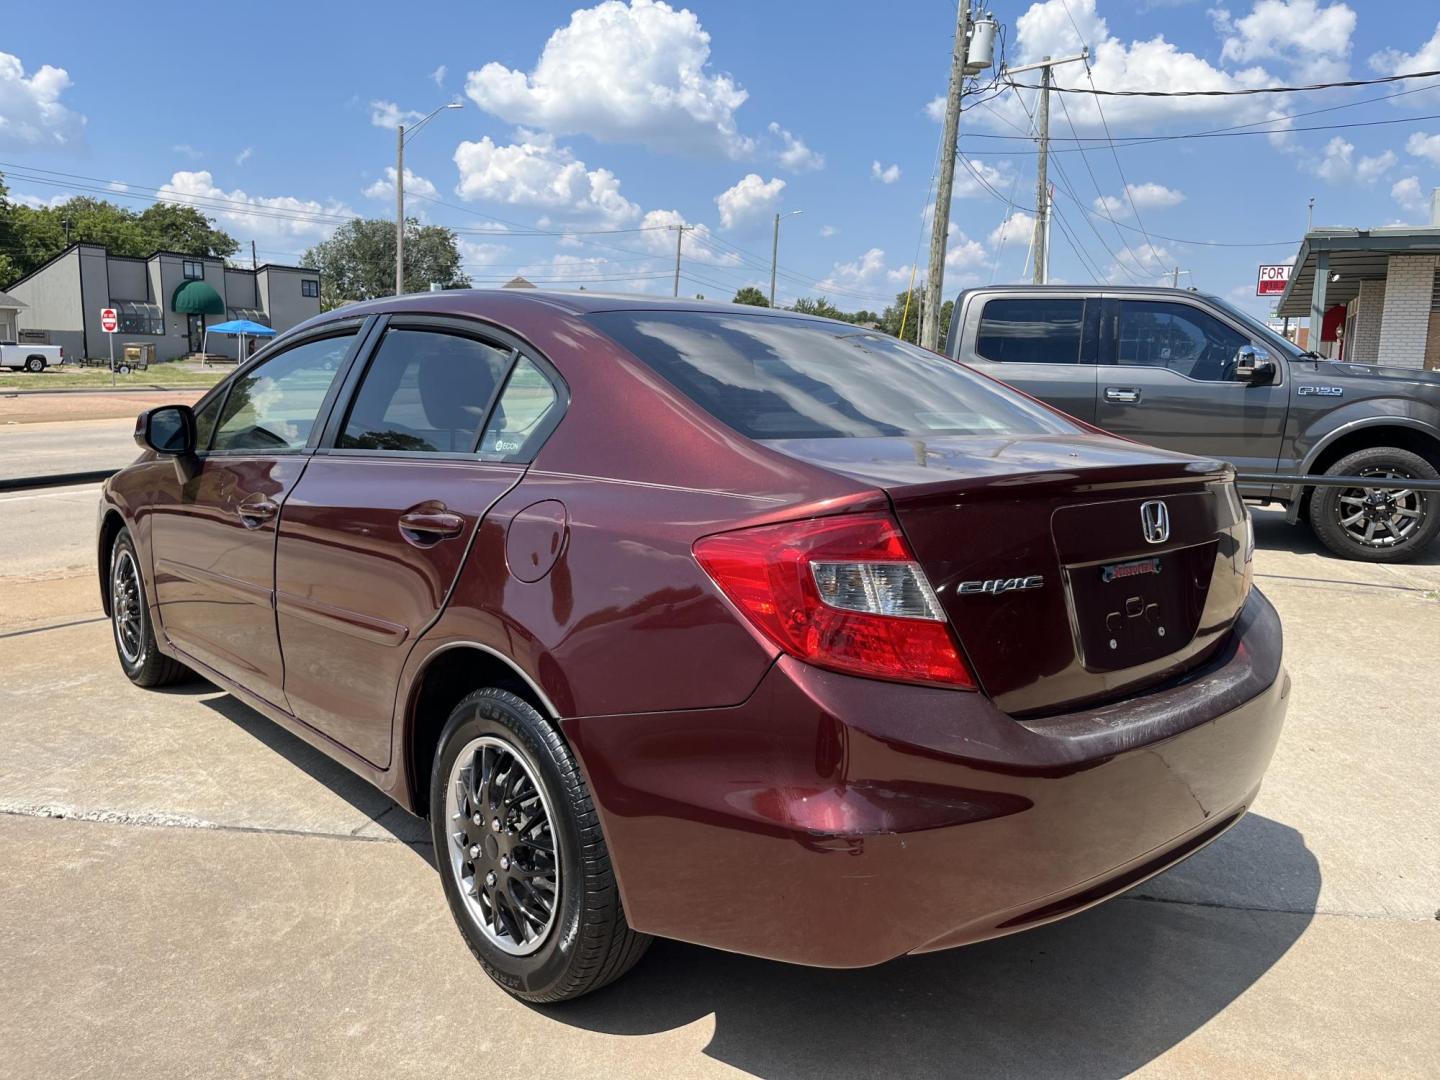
<point>842,822</point>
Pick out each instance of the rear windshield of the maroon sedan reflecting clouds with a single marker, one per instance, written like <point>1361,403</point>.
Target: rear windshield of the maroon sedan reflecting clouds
<point>804,379</point>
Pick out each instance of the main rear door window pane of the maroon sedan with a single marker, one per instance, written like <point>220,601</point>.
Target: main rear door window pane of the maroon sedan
<point>426,392</point>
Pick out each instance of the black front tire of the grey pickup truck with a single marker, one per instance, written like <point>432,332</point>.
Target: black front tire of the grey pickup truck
<point>1333,508</point>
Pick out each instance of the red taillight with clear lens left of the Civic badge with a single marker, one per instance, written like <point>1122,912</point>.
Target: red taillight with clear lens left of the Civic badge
<point>839,593</point>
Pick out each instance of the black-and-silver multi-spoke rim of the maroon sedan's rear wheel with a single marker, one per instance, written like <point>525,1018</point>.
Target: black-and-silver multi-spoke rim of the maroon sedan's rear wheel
<point>502,845</point>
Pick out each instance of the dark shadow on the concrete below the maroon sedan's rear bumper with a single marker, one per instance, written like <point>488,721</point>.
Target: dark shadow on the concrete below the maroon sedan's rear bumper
<point>1097,996</point>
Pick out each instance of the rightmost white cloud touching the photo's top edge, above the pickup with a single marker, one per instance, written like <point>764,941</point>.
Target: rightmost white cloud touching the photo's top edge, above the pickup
<point>1313,38</point>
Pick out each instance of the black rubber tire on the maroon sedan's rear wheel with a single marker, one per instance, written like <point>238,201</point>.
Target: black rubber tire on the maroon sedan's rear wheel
<point>588,944</point>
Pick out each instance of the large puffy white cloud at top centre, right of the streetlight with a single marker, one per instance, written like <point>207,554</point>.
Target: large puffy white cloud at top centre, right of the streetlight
<point>623,74</point>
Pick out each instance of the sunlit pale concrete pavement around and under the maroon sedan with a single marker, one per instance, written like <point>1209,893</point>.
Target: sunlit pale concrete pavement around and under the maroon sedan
<point>191,892</point>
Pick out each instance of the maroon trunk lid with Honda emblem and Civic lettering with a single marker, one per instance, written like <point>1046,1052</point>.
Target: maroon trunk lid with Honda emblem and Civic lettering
<point>1061,584</point>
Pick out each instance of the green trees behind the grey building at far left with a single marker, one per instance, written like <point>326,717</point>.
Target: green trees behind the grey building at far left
<point>32,237</point>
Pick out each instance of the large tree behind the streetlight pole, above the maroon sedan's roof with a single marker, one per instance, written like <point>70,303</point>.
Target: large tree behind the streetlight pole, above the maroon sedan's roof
<point>358,263</point>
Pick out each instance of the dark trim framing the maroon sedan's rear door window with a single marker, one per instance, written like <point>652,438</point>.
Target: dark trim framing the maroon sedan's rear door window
<point>477,329</point>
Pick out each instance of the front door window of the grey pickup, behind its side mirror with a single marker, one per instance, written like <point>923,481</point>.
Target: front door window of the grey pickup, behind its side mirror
<point>1176,336</point>
